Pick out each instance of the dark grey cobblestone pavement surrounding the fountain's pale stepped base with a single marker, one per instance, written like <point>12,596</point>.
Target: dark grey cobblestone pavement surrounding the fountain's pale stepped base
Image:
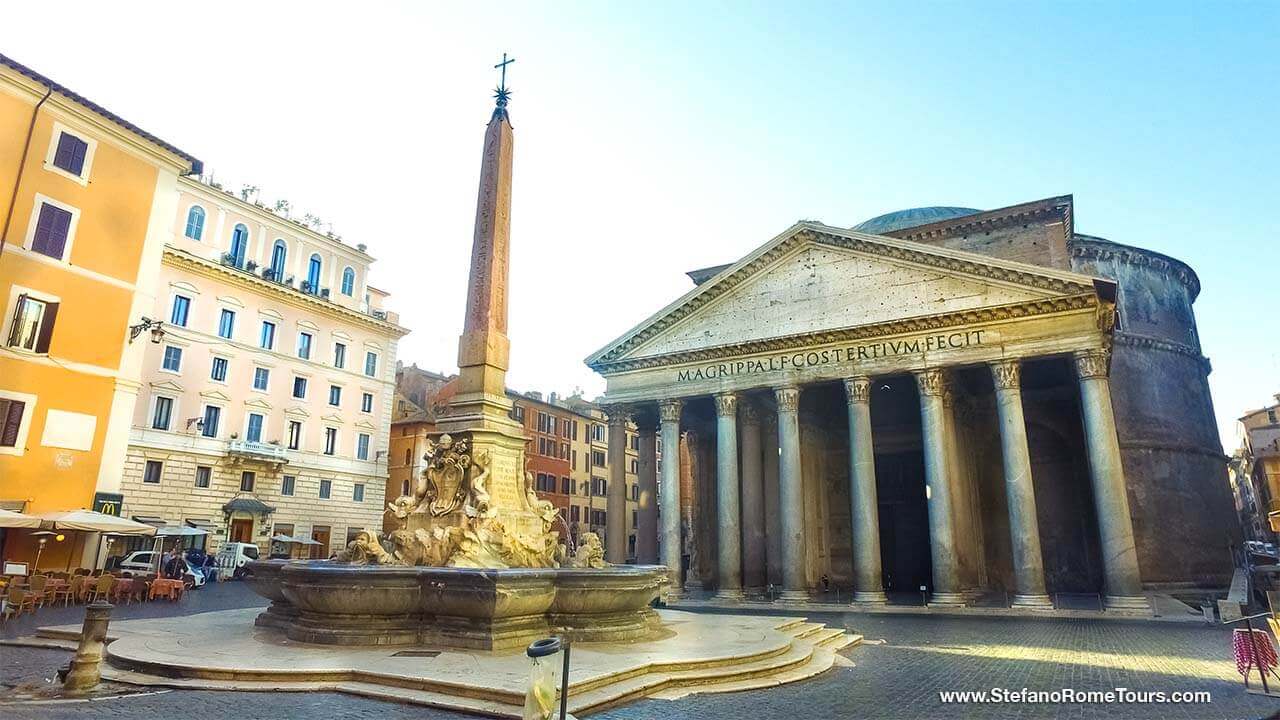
<point>899,678</point>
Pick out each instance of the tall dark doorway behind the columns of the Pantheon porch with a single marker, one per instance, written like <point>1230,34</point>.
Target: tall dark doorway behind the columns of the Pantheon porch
<point>904,518</point>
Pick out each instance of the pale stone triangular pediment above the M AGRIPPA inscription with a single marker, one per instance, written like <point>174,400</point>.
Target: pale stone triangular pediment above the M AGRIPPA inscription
<point>816,279</point>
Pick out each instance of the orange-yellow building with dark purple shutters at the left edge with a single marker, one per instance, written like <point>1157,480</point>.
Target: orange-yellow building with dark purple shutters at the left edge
<point>88,200</point>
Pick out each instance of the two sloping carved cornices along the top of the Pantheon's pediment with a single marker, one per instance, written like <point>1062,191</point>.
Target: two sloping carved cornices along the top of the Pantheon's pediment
<point>903,250</point>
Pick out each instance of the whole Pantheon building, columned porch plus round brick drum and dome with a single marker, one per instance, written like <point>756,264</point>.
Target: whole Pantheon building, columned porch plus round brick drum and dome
<point>976,404</point>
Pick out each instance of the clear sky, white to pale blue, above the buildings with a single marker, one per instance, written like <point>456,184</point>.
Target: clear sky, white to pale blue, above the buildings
<point>653,139</point>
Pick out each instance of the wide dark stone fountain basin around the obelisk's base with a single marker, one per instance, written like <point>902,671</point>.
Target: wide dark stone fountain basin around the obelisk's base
<point>321,601</point>
